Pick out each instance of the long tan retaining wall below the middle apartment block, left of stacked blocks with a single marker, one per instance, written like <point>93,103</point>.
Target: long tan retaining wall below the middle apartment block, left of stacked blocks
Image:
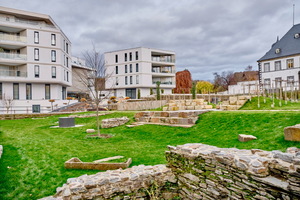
<point>142,105</point>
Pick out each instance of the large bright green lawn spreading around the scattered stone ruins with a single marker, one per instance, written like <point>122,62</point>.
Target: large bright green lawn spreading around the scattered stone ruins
<point>32,164</point>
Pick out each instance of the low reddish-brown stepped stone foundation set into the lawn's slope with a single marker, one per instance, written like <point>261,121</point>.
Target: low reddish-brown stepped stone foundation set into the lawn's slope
<point>168,117</point>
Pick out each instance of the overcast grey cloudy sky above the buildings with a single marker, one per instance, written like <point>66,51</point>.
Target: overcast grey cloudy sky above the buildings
<point>207,36</point>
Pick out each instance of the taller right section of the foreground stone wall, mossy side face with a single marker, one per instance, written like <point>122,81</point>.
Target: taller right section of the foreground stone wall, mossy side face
<point>208,172</point>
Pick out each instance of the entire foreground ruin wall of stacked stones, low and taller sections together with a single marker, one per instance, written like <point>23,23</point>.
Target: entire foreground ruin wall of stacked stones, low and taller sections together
<point>197,171</point>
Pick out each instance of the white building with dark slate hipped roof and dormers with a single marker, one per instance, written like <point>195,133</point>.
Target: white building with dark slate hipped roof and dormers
<point>280,66</point>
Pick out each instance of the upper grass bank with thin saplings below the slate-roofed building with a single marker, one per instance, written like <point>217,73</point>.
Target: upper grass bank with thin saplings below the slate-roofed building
<point>252,105</point>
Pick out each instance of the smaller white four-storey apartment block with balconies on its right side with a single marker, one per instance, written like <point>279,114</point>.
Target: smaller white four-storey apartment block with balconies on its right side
<point>130,70</point>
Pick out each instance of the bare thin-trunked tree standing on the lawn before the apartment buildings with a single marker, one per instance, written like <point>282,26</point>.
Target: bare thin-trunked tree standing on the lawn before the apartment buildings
<point>94,78</point>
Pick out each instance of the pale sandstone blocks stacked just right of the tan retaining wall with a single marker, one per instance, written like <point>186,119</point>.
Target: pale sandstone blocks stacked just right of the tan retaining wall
<point>190,104</point>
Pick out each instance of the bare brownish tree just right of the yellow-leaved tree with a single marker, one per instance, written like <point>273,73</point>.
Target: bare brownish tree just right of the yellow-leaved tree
<point>221,81</point>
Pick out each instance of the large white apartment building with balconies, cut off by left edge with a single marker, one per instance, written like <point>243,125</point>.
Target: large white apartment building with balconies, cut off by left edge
<point>35,62</point>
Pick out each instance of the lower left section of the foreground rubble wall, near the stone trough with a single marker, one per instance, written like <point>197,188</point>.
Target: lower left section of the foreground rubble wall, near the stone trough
<point>138,182</point>
